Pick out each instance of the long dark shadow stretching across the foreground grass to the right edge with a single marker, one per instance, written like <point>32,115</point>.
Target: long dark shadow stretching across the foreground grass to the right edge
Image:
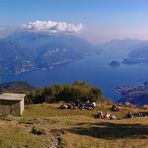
<point>110,131</point>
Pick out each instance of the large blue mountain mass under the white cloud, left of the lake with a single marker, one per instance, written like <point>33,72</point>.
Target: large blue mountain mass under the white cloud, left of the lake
<point>24,51</point>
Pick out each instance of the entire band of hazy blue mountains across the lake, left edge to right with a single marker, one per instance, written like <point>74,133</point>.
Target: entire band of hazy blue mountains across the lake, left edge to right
<point>24,51</point>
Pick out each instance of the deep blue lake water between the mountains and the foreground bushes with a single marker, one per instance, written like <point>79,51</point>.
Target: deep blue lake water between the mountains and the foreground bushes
<point>93,69</point>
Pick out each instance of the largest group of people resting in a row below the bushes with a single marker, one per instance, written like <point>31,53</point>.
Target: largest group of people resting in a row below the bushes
<point>88,105</point>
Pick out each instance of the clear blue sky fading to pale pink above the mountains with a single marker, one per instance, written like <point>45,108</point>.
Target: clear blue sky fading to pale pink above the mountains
<point>102,20</point>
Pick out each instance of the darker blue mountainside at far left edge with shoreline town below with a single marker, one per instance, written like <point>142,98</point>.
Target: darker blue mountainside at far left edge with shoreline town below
<point>14,58</point>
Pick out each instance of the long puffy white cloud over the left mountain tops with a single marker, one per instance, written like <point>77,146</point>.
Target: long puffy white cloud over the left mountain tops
<point>51,26</point>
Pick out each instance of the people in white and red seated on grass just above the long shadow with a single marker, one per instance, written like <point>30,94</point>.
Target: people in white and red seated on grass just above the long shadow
<point>105,116</point>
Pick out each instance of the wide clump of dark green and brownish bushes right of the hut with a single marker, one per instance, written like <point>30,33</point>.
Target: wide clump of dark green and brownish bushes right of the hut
<point>78,91</point>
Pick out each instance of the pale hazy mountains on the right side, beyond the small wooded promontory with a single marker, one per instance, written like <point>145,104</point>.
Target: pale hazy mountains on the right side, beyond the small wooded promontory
<point>128,51</point>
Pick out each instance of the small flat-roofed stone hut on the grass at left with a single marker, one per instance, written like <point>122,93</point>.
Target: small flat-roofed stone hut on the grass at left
<point>11,103</point>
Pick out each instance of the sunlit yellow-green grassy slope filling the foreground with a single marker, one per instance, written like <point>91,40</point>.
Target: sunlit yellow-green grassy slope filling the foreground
<point>72,128</point>
